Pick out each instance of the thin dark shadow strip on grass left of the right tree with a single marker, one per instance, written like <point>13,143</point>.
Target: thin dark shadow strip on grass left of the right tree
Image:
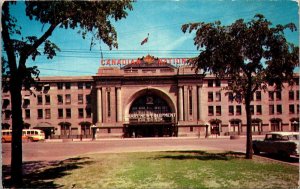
<point>201,155</point>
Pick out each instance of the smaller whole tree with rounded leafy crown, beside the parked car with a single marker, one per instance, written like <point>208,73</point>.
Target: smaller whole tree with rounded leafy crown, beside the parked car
<point>250,55</point>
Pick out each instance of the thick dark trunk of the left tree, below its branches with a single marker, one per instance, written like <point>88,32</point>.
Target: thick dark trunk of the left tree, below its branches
<point>17,121</point>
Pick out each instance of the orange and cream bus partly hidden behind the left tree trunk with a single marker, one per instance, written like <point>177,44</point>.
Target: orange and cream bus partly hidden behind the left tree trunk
<point>32,135</point>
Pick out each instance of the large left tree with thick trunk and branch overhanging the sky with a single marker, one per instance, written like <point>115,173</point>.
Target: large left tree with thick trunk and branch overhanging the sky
<point>88,17</point>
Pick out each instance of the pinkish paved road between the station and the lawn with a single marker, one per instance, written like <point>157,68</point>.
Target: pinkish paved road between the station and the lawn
<point>50,151</point>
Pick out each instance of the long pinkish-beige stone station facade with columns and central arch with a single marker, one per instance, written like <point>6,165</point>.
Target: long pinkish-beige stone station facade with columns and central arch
<point>150,99</point>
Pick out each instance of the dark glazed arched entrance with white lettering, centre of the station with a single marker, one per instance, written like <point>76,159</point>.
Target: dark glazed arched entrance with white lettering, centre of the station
<point>150,115</point>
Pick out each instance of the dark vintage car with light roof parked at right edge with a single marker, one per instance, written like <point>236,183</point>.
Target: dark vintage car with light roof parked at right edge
<point>281,143</point>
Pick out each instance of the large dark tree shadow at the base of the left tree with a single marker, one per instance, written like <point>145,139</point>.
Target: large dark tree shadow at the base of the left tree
<point>41,174</point>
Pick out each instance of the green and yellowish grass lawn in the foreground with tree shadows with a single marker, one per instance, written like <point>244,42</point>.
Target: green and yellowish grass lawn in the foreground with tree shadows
<point>188,169</point>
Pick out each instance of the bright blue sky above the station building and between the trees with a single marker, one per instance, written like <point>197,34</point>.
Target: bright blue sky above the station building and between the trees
<point>162,20</point>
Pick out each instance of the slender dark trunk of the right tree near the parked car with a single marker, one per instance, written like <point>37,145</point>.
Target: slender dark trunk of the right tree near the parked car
<point>249,127</point>
